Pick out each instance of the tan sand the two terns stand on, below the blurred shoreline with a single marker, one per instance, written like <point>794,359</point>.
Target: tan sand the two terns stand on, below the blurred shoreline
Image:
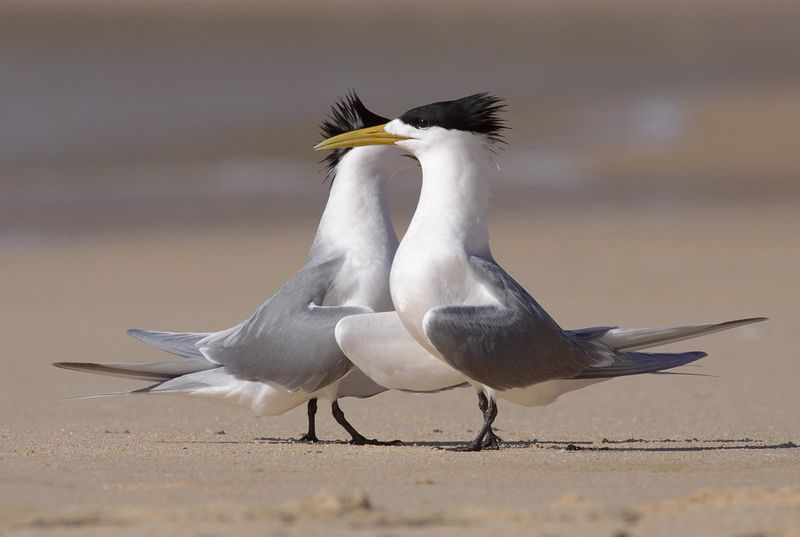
<point>662,455</point>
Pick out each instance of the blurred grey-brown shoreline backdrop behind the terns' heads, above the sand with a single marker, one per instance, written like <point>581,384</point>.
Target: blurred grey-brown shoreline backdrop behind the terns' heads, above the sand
<point>191,114</point>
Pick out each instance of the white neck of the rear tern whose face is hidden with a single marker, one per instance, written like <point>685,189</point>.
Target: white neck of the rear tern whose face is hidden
<point>356,217</point>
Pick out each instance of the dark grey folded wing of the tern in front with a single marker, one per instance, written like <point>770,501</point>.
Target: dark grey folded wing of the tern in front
<point>511,344</point>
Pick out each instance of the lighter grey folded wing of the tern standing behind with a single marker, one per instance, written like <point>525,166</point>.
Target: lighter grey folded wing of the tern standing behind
<point>290,339</point>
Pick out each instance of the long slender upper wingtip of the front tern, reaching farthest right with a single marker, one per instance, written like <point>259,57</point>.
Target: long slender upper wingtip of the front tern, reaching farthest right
<point>628,339</point>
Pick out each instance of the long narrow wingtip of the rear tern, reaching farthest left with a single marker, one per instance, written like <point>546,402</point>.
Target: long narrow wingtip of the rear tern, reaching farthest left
<point>150,371</point>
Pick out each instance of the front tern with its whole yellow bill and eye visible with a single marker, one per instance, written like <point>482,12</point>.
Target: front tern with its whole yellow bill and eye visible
<point>457,303</point>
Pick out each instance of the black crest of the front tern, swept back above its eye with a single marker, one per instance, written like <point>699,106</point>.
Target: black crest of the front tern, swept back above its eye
<point>480,113</point>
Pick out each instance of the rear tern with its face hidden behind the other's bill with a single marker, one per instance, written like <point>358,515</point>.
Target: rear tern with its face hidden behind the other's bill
<point>285,354</point>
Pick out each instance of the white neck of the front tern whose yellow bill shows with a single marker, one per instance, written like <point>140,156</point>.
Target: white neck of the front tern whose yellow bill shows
<point>454,201</point>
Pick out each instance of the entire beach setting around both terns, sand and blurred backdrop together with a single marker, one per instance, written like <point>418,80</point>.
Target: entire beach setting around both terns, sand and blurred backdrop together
<point>156,172</point>
